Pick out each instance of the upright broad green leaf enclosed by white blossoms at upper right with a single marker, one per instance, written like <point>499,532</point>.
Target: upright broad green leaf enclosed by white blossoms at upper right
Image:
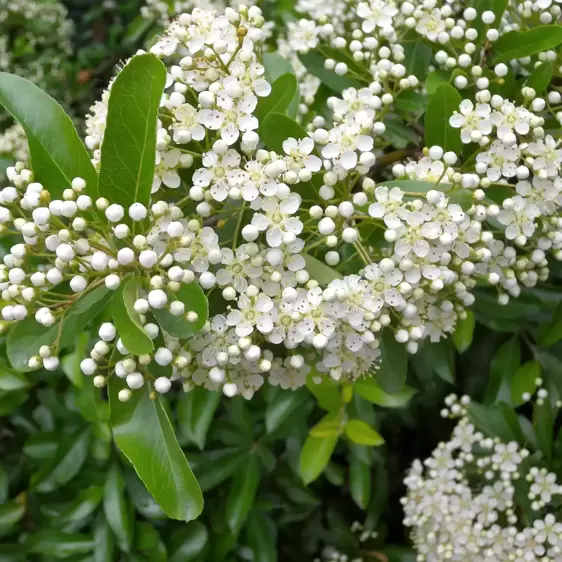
<point>442,104</point>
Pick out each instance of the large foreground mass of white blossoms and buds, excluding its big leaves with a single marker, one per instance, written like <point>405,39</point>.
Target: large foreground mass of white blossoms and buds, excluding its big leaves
<point>252,226</point>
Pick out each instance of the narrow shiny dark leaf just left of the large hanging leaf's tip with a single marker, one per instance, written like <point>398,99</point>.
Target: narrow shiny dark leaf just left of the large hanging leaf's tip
<point>117,511</point>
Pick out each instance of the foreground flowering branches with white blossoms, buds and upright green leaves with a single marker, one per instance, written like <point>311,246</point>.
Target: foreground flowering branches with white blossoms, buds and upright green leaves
<point>243,225</point>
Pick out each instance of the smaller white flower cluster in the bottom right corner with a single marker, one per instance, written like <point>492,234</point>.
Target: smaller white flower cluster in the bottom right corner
<point>464,502</point>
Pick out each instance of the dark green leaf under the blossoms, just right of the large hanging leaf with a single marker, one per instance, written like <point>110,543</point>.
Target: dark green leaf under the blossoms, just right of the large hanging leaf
<point>196,412</point>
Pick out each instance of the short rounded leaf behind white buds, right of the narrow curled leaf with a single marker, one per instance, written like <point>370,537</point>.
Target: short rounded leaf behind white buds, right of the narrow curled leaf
<point>194,299</point>
